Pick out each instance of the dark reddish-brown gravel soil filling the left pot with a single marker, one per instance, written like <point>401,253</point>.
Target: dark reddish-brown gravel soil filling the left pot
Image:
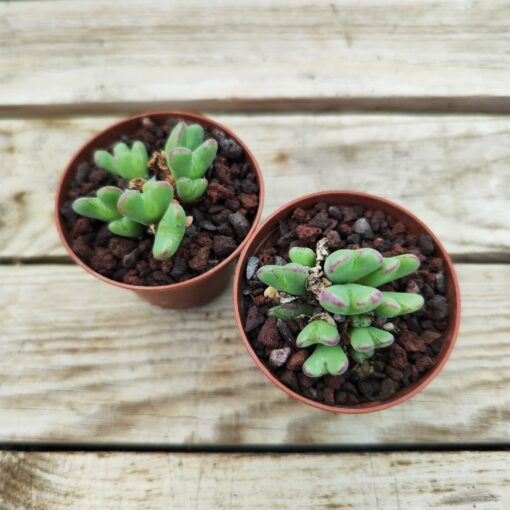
<point>221,218</point>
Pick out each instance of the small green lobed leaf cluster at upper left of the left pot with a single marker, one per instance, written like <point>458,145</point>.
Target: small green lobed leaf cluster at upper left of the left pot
<point>129,163</point>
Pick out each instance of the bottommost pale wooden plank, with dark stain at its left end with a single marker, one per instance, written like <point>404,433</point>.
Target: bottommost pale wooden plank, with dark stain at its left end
<point>246,481</point>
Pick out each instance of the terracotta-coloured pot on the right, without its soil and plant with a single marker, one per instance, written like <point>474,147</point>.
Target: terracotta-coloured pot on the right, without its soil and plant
<point>415,226</point>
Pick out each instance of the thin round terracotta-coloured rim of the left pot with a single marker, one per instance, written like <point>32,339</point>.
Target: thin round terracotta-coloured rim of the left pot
<point>194,117</point>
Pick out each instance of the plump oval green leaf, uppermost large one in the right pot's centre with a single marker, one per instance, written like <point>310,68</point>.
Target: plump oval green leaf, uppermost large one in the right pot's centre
<point>344,266</point>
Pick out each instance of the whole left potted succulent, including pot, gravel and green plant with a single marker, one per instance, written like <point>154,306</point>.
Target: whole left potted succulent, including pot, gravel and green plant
<point>161,204</point>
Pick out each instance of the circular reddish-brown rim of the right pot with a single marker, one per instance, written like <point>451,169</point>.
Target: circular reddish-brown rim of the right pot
<point>371,406</point>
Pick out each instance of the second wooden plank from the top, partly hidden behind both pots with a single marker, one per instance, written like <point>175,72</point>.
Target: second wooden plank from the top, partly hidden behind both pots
<point>450,170</point>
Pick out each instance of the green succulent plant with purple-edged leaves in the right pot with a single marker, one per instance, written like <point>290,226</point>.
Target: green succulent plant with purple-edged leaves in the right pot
<point>315,285</point>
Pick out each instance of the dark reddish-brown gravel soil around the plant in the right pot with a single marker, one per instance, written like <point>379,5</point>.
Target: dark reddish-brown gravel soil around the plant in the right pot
<point>418,336</point>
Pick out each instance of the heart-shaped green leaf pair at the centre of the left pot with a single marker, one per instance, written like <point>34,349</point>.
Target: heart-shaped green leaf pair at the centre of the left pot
<point>149,206</point>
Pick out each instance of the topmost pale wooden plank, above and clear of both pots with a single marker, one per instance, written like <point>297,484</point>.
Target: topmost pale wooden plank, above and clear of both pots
<point>67,53</point>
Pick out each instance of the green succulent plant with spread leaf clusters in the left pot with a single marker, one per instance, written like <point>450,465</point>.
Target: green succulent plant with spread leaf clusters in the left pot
<point>148,202</point>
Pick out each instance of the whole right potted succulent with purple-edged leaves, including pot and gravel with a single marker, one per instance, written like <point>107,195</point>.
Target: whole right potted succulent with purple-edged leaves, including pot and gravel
<point>347,302</point>
